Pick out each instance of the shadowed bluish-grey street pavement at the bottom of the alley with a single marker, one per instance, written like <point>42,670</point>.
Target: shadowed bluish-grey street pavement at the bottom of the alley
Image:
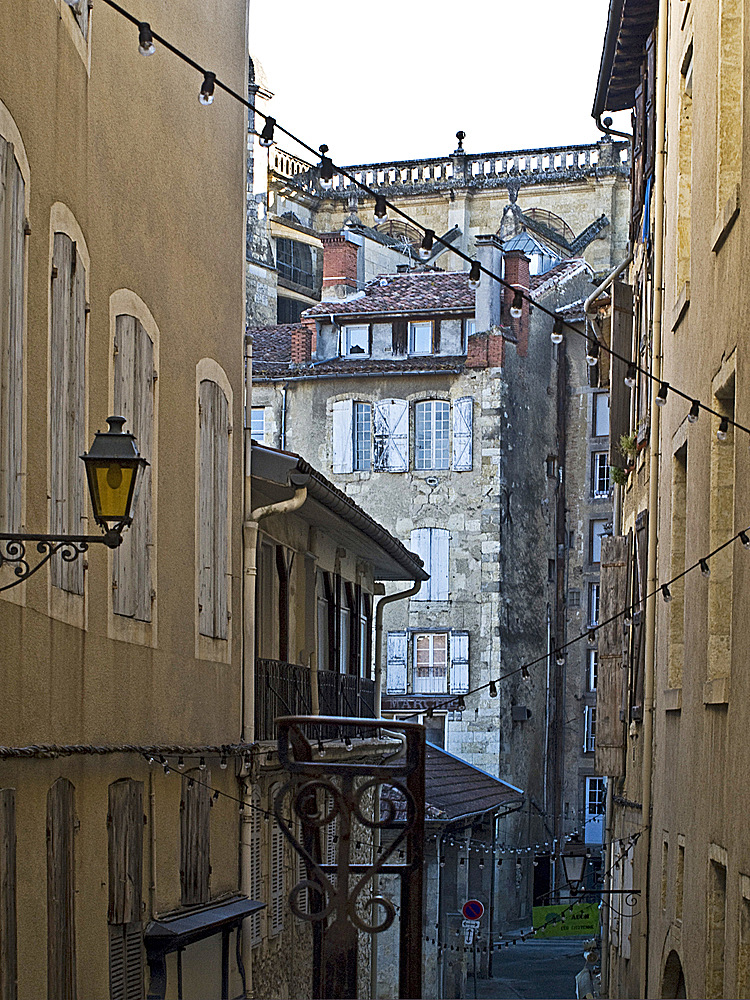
<point>532,970</point>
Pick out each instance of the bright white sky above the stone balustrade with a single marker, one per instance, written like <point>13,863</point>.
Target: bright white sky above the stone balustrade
<point>380,81</point>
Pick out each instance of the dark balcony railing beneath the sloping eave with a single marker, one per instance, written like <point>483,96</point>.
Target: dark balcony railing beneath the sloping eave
<point>284,689</point>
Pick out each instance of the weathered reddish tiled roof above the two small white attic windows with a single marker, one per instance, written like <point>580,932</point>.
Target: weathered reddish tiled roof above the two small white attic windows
<point>418,291</point>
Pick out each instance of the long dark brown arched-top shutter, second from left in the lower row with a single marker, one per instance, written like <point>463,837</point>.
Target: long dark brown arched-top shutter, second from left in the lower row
<point>61,938</point>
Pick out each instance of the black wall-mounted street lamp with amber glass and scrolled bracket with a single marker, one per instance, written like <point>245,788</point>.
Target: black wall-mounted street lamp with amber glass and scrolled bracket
<point>113,468</point>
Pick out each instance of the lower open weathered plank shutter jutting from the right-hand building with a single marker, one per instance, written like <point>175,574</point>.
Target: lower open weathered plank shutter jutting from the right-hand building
<point>609,751</point>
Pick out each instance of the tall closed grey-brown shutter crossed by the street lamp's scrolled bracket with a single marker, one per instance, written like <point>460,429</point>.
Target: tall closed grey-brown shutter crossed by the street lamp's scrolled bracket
<point>67,404</point>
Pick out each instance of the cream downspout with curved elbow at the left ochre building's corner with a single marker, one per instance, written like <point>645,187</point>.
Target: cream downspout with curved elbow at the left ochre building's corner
<point>250,572</point>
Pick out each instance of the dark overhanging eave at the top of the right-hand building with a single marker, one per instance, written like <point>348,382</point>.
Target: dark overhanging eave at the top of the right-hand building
<point>629,24</point>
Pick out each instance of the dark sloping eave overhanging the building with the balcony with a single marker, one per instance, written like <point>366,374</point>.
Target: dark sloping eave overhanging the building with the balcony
<point>277,474</point>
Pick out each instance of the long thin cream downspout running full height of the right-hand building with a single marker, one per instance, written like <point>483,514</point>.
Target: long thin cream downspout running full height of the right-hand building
<point>654,457</point>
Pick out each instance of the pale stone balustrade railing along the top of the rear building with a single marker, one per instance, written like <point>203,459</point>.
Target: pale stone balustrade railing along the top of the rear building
<point>526,166</point>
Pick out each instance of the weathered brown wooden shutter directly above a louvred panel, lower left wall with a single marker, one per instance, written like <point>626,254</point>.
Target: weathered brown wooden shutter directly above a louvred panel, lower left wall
<point>125,850</point>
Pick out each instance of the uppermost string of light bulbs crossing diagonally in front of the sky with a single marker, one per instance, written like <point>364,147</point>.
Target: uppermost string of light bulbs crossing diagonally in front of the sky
<point>327,170</point>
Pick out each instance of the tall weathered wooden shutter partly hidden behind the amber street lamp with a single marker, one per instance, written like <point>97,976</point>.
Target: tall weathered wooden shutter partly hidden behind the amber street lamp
<point>134,400</point>
